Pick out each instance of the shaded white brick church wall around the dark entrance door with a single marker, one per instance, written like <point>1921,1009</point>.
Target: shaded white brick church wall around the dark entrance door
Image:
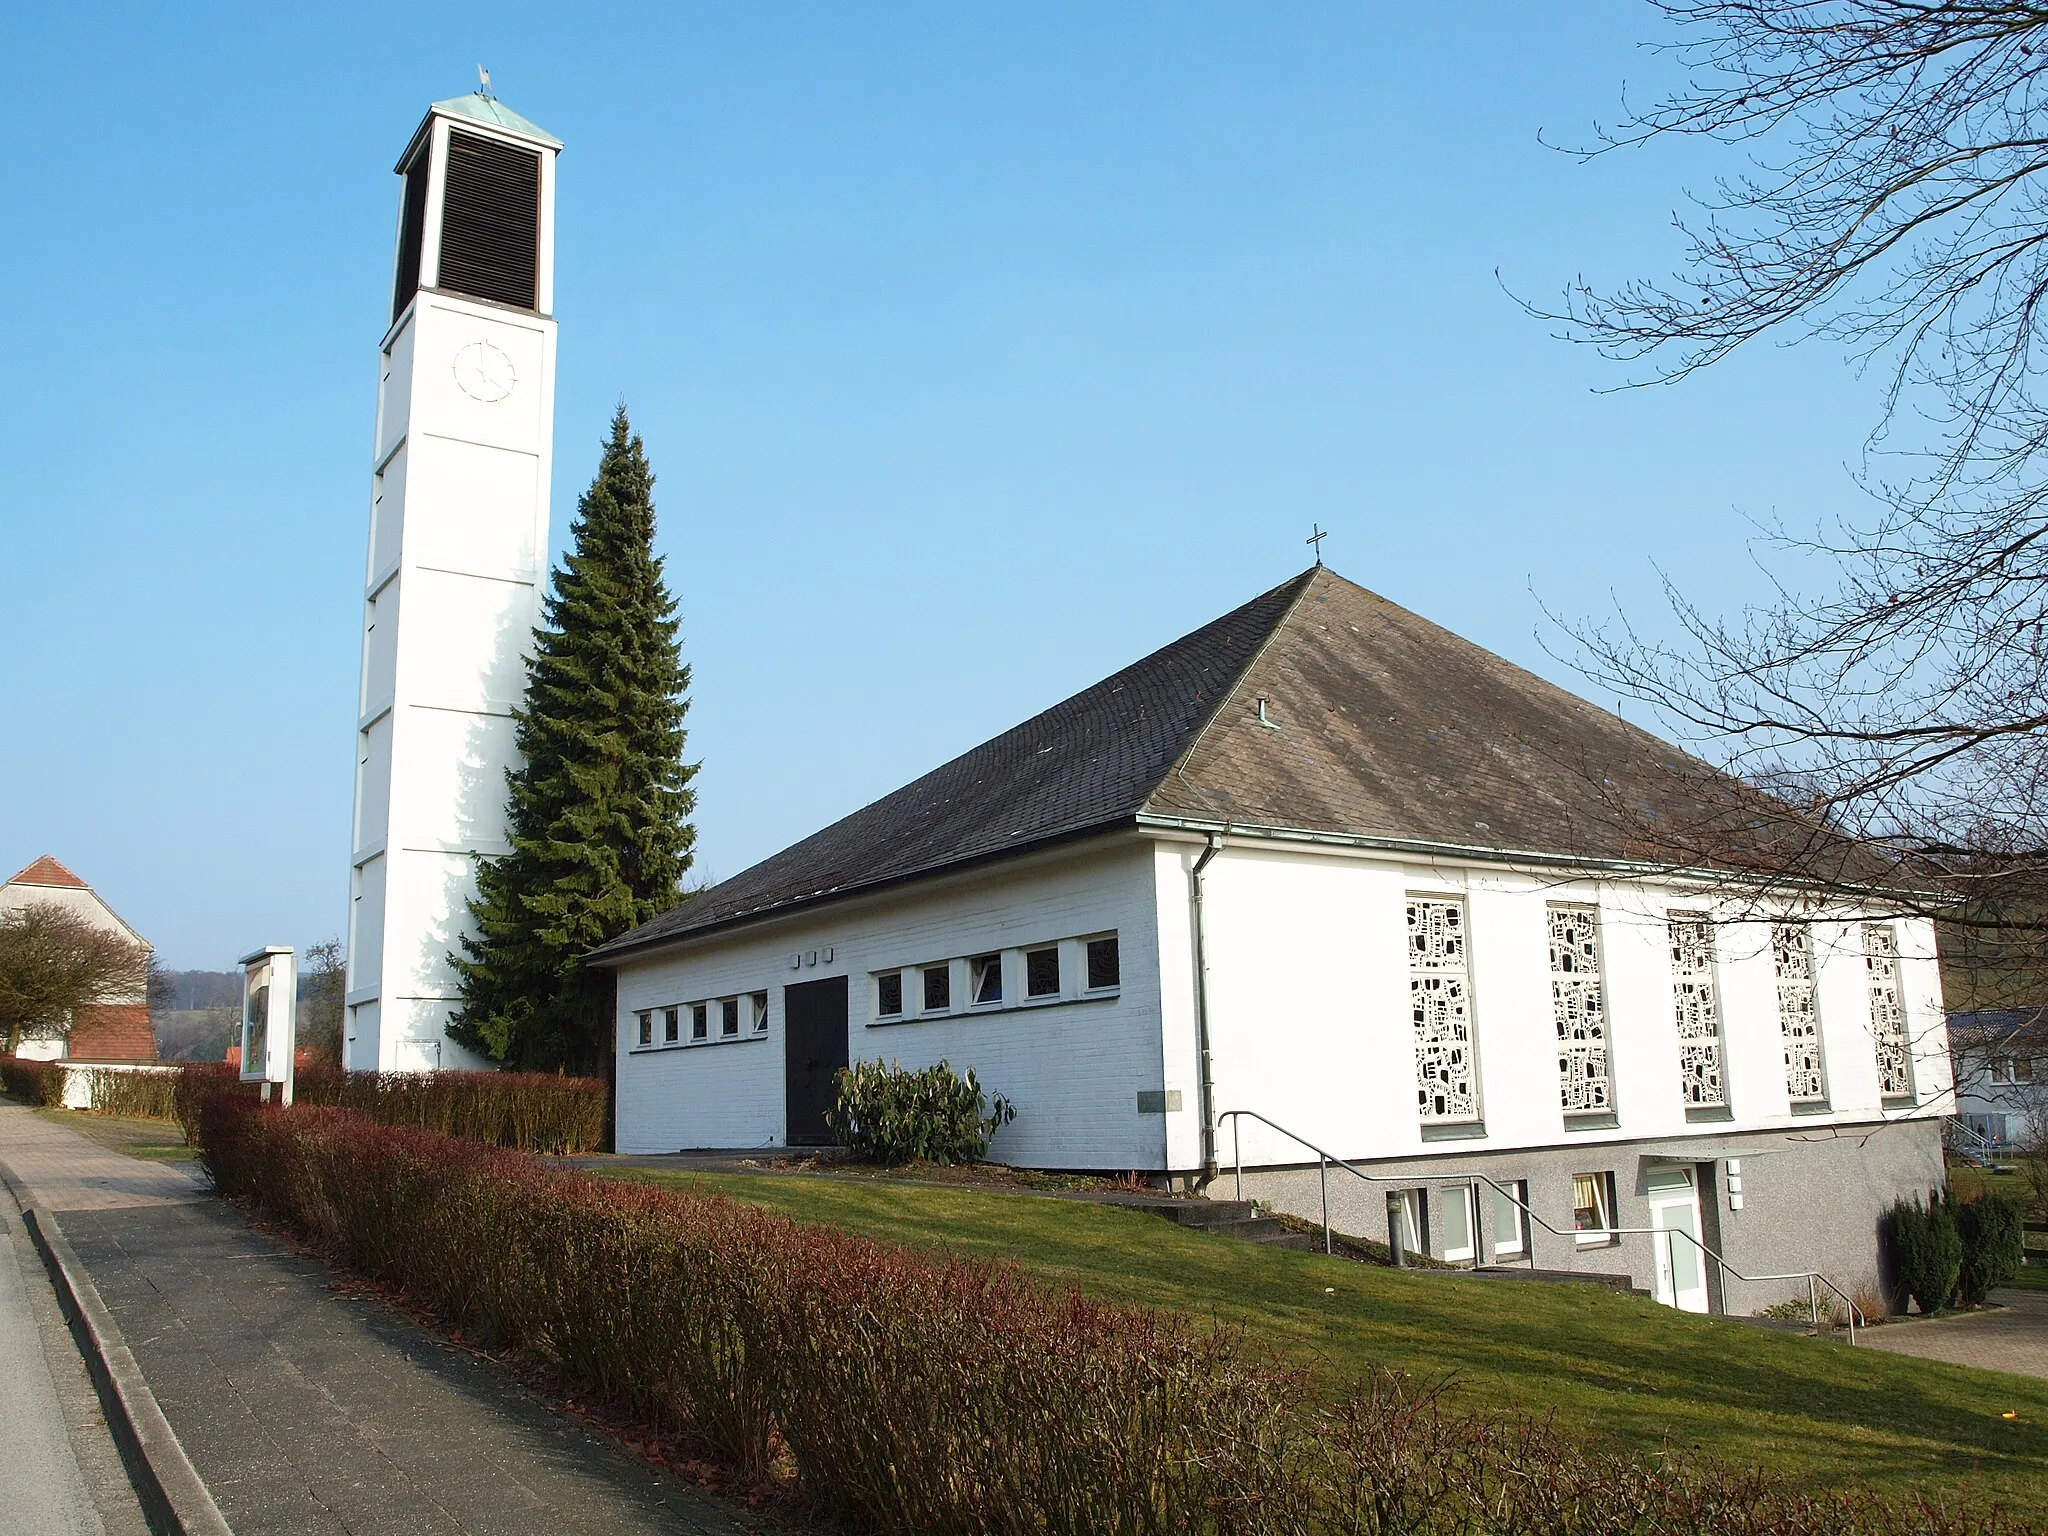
<point>1074,1068</point>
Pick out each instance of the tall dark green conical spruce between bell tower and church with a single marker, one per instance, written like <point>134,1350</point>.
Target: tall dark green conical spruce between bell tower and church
<point>601,800</point>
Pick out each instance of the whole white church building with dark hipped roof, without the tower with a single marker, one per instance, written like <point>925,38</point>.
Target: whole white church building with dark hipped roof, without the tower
<point>1328,865</point>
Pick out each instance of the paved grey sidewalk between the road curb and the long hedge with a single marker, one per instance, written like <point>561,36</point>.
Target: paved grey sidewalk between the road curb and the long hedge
<point>312,1412</point>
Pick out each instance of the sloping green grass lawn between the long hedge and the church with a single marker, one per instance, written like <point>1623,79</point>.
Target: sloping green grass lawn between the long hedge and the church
<point>1617,1369</point>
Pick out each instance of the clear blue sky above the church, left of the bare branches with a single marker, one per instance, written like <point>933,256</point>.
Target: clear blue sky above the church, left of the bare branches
<point>978,349</point>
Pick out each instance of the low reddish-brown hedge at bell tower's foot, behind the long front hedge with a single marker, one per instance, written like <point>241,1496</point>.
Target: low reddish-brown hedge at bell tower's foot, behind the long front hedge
<point>505,1109</point>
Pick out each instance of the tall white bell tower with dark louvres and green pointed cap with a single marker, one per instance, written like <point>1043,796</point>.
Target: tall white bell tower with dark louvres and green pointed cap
<point>466,429</point>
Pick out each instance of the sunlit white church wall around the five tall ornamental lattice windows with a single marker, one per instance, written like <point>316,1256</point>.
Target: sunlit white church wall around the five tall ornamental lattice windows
<point>1312,1027</point>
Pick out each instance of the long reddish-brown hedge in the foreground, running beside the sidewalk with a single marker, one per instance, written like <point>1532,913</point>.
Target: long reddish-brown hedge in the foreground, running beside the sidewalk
<point>914,1394</point>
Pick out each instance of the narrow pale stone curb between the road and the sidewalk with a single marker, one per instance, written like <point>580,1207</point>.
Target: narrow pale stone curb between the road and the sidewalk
<point>173,1496</point>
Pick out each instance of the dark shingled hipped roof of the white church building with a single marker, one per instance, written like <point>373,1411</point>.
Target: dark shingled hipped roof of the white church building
<point>1318,708</point>
